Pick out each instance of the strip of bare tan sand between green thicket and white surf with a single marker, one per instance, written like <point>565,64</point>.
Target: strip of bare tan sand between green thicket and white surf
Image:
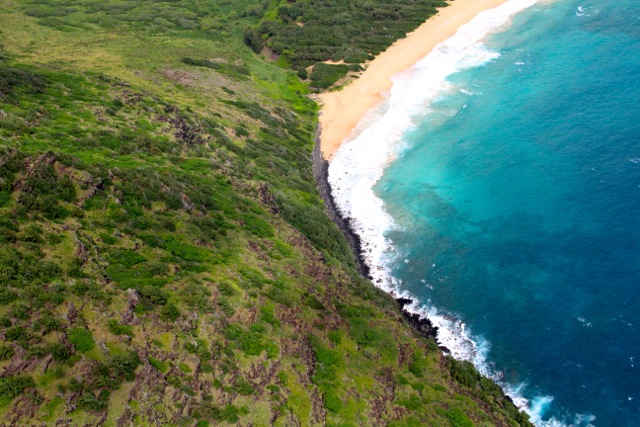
<point>341,111</point>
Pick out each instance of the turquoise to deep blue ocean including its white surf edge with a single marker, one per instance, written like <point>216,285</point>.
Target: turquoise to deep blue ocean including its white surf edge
<point>498,185</point>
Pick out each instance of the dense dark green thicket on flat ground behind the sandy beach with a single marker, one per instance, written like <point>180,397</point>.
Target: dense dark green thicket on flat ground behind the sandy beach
<point>310,32</point>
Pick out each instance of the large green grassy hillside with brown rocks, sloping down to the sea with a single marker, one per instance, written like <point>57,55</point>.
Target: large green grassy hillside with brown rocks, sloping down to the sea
<point>164,256</point>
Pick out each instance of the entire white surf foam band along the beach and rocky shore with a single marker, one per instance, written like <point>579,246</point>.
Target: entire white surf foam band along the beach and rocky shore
<point>377,141</point>
